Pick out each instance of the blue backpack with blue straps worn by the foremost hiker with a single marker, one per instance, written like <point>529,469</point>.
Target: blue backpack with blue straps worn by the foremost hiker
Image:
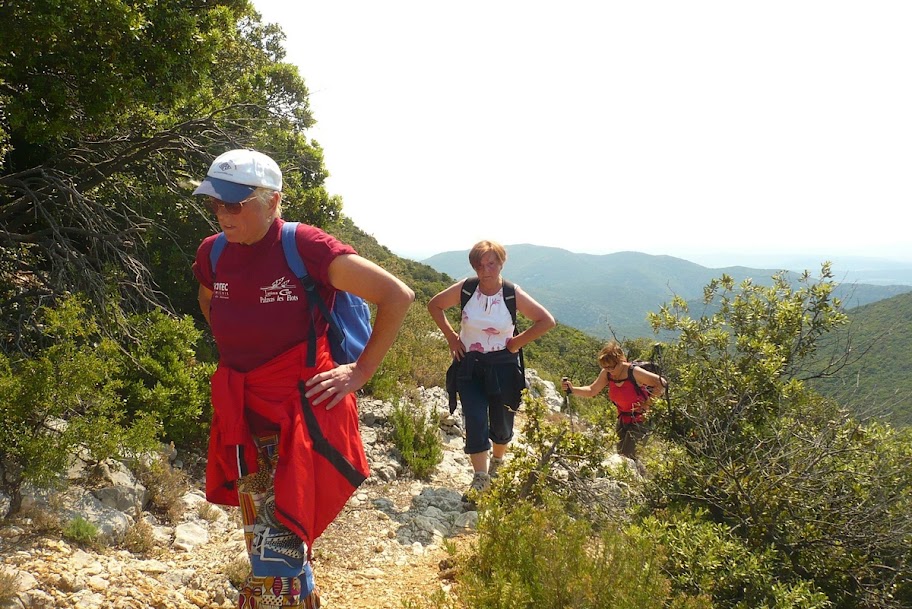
<point>349,320</point>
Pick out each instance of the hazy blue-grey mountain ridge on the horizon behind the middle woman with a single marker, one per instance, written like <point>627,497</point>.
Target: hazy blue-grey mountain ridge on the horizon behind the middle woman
<point>601,293</point>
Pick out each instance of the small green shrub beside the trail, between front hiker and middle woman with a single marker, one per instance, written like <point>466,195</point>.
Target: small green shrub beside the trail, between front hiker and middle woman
<point>417,437</point>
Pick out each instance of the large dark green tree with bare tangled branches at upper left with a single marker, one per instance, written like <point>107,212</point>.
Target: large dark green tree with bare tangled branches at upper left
<point>111,110</point>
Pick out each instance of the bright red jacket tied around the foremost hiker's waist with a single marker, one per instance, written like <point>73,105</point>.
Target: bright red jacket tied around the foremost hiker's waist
<point>321,456</point>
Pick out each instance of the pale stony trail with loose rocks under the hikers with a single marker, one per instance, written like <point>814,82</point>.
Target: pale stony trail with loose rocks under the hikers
<point>387,549</point>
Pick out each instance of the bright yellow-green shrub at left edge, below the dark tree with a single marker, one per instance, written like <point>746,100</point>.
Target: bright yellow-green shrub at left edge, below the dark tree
<point>65,398</point>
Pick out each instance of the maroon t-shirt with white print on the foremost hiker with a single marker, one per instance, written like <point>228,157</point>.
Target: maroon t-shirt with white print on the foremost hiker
<point>259,308</point>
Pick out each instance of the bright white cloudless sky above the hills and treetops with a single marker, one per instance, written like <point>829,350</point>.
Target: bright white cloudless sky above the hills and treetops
<point>712,131</point>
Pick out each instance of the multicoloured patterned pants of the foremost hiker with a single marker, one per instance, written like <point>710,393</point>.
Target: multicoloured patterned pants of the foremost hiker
<point>281,575</point>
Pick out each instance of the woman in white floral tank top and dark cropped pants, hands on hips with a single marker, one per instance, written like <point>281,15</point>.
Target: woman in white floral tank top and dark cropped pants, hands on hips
<point>485,352</point>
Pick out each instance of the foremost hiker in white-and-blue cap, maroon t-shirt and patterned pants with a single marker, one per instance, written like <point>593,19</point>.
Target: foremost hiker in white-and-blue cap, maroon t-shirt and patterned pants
<point>284,444</point>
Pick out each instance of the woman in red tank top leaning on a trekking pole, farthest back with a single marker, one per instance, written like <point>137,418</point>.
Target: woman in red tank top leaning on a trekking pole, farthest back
<point>631,389</point>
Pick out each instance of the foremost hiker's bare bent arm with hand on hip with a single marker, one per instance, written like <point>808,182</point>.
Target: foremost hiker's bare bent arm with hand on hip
<point>361,277</point>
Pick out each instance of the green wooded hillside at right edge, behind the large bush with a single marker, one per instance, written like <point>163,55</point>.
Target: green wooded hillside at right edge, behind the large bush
<point>880,334</point>
